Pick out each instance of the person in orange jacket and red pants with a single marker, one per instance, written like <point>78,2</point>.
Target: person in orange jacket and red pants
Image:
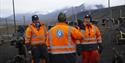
<point>91,43</point>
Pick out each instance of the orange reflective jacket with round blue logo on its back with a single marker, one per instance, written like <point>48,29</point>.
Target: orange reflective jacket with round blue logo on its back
<point>60,39</point>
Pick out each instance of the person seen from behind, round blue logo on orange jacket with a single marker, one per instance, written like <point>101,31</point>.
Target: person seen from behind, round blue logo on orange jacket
<point>60,41</point>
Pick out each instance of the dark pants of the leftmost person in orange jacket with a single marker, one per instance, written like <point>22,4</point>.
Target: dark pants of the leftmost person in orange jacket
<point>39,52</point>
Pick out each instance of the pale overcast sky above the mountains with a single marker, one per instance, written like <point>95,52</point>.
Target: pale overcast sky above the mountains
<point>46,6</point>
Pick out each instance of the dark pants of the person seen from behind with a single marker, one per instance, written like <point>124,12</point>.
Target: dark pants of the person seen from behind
<point>62,58</point>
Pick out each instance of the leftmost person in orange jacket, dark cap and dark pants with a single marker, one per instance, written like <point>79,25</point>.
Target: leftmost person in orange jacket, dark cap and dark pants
<point>35,38</point>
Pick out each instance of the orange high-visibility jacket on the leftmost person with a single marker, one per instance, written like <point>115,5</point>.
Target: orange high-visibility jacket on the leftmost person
<point>34,36</point>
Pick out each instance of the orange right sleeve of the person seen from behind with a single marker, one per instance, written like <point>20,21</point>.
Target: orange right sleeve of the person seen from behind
<point>76,34</point>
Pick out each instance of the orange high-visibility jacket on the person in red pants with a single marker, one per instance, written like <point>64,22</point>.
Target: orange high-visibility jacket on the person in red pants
<point>92,35</point>
